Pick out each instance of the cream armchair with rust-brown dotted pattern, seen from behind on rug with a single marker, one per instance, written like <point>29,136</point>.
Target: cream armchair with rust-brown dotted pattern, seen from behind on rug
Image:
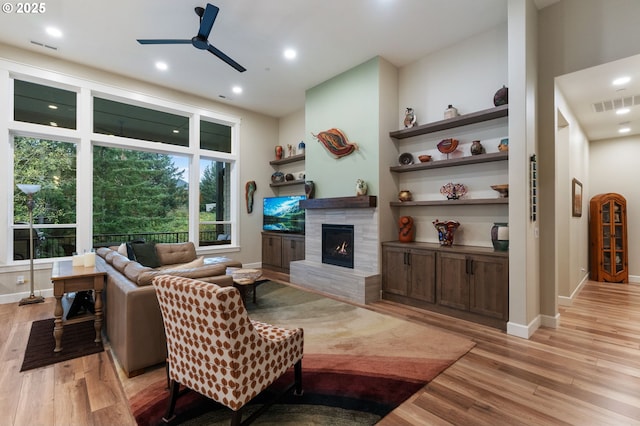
<point>215,349</point>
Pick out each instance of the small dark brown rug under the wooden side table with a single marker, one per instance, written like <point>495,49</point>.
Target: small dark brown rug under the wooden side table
<point>77,340</point>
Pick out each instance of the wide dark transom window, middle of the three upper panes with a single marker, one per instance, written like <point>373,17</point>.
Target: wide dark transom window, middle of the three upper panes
<point>130,121</point>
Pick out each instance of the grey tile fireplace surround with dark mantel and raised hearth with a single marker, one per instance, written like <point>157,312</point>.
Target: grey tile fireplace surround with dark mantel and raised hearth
<point>360,284</point>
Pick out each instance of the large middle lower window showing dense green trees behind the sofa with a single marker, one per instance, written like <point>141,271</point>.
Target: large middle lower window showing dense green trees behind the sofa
<point>139,195</point>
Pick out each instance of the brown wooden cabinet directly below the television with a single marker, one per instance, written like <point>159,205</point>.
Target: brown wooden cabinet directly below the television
<point>278,250</point>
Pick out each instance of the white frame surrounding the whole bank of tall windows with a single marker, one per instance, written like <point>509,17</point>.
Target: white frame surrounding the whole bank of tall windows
<point>84,138</point>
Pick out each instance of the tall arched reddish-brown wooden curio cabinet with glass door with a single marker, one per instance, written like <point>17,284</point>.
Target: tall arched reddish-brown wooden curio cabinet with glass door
<point>608,253</point>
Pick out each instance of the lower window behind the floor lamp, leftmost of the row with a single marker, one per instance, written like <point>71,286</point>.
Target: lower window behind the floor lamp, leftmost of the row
<point>52,165</point>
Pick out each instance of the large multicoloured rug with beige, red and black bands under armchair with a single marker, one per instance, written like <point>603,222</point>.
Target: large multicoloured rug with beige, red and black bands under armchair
<point>358,364</point>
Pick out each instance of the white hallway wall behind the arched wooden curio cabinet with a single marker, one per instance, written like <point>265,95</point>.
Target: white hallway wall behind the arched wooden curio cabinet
<point>613,167</point>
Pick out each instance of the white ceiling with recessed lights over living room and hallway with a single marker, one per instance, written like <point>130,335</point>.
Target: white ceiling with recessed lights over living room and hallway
<point>331,36</point>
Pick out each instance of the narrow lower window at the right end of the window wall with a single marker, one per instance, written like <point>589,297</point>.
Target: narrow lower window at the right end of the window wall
<point>215,203</point>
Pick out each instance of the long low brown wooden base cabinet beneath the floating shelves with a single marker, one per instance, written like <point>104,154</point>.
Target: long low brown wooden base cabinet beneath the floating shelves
<point>467,282</point>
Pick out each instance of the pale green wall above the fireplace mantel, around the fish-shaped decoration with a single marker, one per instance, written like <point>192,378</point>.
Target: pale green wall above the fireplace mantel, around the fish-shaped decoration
<point>349,102</point>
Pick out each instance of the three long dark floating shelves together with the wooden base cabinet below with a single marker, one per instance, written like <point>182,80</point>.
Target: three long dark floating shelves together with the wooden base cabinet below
<point>467,282</point>
